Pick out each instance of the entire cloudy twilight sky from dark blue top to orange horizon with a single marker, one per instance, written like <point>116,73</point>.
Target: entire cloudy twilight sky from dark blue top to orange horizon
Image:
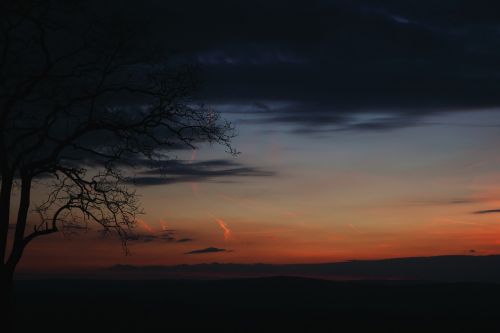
<point>367,130</point>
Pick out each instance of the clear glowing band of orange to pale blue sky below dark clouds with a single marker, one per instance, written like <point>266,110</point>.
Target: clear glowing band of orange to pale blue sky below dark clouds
<point>410,192</point>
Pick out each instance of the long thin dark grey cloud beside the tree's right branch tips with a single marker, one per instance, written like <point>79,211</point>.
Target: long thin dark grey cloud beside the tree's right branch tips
<point>176,171</point>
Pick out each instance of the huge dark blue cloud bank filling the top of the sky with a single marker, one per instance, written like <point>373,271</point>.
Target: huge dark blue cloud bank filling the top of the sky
<point>336,59</point>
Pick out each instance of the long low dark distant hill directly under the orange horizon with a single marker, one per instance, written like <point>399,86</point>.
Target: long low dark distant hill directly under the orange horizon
<point>439,268</point>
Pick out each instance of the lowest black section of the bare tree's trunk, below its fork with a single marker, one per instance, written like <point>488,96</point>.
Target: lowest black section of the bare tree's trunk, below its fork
<point>6,300</point>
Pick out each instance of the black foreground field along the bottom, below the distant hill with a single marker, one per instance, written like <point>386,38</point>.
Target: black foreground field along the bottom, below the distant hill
<point>278,304</point>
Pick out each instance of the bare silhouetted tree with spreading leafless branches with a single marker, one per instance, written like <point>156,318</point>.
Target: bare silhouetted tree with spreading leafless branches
<point>82,100</point>
